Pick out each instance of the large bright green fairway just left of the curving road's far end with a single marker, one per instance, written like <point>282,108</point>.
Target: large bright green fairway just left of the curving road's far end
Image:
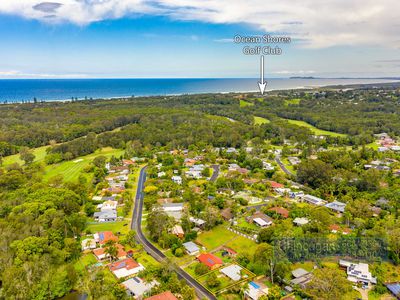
<point>71,170</point>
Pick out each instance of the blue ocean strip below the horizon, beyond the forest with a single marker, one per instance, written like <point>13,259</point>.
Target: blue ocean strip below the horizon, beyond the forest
<point>65,89</point>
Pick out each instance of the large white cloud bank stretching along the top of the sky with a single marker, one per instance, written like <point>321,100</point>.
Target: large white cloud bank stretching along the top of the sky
<point>318,23</point>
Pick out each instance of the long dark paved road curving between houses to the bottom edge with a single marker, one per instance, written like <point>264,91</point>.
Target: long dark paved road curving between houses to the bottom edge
<point>201,292</point>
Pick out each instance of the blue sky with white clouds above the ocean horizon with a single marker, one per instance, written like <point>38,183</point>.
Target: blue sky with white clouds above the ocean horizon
<point>193,38</point>
